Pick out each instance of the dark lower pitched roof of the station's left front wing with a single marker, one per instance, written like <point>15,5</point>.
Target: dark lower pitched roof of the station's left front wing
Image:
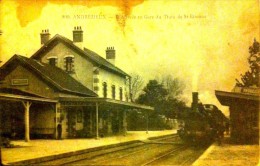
<point>51,74</point>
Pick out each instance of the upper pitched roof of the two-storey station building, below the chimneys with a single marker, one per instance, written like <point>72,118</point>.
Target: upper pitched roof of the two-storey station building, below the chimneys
<point>92,56</point>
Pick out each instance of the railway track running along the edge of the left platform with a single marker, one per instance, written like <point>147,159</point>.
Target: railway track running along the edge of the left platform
<point>104,156</point>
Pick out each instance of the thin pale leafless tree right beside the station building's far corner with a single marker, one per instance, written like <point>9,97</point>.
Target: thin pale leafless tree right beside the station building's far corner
<point>136,85</point>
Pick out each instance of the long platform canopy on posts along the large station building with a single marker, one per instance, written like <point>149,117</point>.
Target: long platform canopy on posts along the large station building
<point>27,99</point>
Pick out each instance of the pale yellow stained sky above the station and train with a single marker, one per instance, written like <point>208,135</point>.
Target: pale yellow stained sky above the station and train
<point>203,43</point>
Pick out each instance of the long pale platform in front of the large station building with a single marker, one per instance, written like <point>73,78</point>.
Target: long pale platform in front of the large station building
<point>42,147</point>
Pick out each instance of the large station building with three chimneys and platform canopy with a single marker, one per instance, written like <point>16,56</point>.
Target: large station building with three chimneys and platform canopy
<point>64,90</point>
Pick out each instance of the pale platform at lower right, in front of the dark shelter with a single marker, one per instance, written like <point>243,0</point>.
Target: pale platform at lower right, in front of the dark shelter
<point>228,154</point>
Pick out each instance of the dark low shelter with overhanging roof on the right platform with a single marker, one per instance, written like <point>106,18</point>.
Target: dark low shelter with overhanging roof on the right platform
<point>244,107</point>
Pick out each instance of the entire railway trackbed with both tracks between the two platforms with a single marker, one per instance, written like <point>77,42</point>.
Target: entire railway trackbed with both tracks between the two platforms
<point>165,150</point>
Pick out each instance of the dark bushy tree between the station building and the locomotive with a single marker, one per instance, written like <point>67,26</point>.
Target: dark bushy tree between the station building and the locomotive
<point>164,96</point>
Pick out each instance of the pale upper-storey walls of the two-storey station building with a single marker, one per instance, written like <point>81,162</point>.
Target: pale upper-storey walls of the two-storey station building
<point>84,72</point>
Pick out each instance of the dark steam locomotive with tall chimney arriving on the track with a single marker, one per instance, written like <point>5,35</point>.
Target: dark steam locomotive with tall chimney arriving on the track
<point>203,124</point>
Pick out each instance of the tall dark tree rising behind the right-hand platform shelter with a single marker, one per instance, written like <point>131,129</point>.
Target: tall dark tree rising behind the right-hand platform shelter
<point>251,77</point>
